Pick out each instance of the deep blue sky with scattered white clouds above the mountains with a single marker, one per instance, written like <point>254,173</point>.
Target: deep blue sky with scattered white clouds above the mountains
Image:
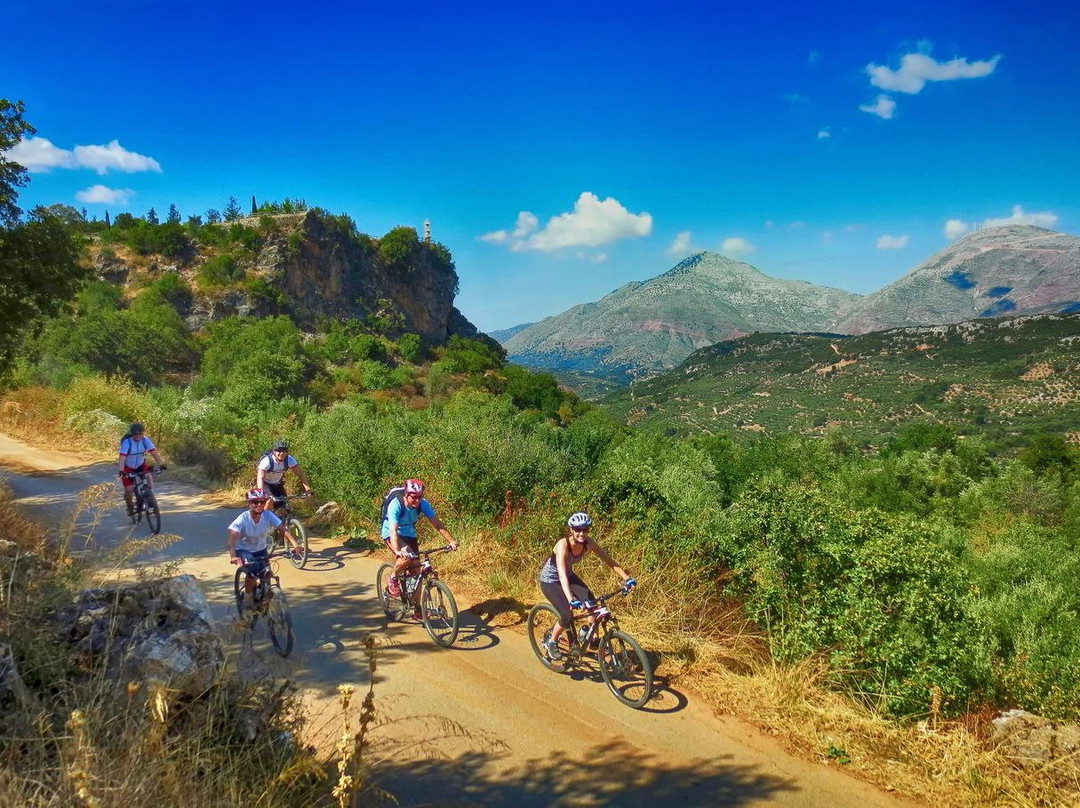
<point>561,152</point>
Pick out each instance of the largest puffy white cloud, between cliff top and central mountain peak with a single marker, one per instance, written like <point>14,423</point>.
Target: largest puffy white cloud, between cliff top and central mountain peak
<point>593,223</point>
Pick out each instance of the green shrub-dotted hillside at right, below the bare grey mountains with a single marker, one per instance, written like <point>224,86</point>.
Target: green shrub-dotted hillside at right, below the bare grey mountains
<point>1008,379</point>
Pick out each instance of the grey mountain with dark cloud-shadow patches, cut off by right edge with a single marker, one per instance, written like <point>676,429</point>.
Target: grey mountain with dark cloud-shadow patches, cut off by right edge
<point>1001,272</point>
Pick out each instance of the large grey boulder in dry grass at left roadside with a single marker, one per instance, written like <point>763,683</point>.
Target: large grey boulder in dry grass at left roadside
<point>159,630</point>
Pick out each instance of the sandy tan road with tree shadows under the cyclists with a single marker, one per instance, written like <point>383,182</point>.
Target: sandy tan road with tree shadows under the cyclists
<point>517,734</point>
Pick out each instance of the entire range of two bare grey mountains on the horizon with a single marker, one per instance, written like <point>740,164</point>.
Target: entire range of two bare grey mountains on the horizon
<point>647,328</point>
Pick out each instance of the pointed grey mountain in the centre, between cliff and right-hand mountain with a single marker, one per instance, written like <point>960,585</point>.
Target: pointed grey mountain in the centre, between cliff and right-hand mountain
<point>643,329</point>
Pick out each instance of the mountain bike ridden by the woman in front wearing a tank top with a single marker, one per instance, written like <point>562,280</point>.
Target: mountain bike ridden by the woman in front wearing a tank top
<point>625,667</point>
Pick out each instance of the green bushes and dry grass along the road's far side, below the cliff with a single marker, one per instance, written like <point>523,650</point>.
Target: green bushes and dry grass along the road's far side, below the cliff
<point>876,607</point>
